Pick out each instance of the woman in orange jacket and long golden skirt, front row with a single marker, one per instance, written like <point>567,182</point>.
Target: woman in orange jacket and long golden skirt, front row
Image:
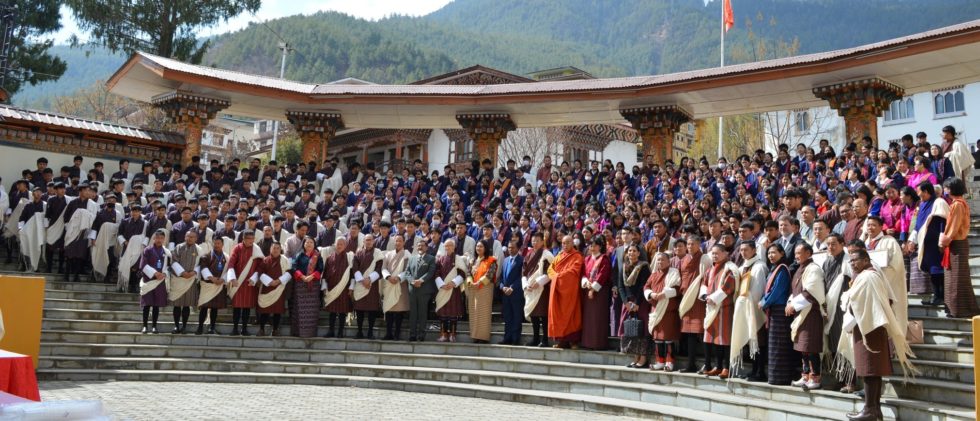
<point>479,292</point>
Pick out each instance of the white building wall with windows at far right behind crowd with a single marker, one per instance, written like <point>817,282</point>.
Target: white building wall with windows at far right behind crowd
<point>925,120</point>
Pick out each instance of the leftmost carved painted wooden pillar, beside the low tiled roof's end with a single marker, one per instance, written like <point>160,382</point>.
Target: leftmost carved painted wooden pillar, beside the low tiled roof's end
<point>192,113</point>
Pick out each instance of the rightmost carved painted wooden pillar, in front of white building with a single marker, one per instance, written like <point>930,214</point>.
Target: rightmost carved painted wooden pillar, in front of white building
<point>860,102</point>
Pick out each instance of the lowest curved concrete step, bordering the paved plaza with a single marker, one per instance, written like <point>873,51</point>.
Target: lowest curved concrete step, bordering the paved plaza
<point>583,402</point>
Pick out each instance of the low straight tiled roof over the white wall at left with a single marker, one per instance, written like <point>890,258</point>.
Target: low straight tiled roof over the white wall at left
<point>9,112</point>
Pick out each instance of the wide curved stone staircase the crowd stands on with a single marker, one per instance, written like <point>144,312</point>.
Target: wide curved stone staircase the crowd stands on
<point>90,334</point>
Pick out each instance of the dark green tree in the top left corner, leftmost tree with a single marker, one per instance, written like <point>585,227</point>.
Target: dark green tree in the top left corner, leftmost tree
<point>30,61</point>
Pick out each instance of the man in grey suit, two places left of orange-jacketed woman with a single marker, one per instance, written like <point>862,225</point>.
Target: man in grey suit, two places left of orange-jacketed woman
<point>420,275</point>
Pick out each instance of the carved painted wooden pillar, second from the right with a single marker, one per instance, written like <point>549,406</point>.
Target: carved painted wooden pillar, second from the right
<point>657,125</point>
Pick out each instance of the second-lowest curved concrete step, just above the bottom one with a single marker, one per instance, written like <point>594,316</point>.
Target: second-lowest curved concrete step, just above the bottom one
<point>710,395</point>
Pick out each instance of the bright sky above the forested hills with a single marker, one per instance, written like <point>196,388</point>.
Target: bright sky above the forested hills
<point>272,9</point>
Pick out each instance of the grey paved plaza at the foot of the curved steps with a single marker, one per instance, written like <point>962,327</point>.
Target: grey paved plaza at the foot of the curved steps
<point>227,401</point>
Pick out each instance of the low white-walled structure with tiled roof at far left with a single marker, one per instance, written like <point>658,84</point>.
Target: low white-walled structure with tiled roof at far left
<point>26,135</point>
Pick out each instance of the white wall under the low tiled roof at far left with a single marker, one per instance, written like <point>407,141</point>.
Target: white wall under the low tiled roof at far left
<point>15,159</point>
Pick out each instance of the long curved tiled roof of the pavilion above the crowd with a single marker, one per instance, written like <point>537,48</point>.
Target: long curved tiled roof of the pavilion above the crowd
<point>555,86</point>
